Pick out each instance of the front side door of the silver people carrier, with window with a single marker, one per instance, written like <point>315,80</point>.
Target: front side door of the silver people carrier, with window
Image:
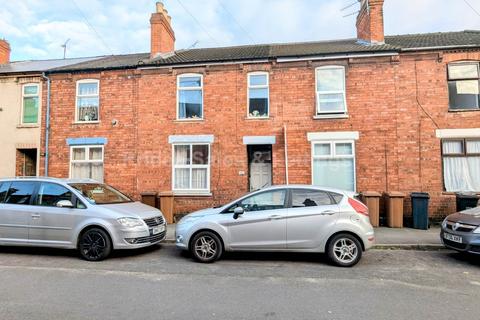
<point>50,224</point>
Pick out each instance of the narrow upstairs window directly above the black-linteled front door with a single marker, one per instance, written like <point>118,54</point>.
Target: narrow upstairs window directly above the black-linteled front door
<point>258,95</point>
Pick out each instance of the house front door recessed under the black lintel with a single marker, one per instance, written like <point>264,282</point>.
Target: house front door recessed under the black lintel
<point>260,166</point>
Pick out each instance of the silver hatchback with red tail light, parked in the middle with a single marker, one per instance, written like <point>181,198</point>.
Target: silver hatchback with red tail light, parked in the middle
<point>291,218</point>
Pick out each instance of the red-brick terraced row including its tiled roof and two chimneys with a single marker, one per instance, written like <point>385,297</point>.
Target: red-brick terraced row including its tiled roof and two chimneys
<point>376,112</point>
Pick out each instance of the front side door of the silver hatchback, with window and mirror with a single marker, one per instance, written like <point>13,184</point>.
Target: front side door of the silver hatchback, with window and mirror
<point>262,225</point>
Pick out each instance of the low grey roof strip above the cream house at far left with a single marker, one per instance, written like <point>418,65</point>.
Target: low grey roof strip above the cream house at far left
<point>30,66</point>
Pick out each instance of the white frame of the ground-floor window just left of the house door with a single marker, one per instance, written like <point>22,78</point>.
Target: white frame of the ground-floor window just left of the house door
<point>191,166</point>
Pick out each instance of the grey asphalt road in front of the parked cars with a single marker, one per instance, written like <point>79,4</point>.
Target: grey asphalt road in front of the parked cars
<point>162,283</point>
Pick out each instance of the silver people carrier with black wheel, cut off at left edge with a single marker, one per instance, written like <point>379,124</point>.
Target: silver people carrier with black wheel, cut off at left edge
<point>77,214</point>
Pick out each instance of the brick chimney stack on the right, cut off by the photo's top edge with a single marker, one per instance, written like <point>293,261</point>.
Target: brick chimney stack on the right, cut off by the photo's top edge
<point>370,22</point>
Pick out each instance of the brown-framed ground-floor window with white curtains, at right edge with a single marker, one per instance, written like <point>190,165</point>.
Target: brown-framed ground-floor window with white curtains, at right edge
<point>461,164</point>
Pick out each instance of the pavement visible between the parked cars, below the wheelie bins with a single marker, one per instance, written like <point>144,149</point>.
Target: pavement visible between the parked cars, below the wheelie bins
<point>386,238</point>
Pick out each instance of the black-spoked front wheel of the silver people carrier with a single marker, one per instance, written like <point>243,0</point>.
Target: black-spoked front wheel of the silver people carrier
<point>94,245</point>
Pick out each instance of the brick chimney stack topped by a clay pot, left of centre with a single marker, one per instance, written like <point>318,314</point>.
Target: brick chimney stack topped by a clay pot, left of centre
<point>162,35</point>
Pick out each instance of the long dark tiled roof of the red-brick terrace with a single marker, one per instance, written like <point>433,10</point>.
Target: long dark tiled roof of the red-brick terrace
<point>393,44</point>
